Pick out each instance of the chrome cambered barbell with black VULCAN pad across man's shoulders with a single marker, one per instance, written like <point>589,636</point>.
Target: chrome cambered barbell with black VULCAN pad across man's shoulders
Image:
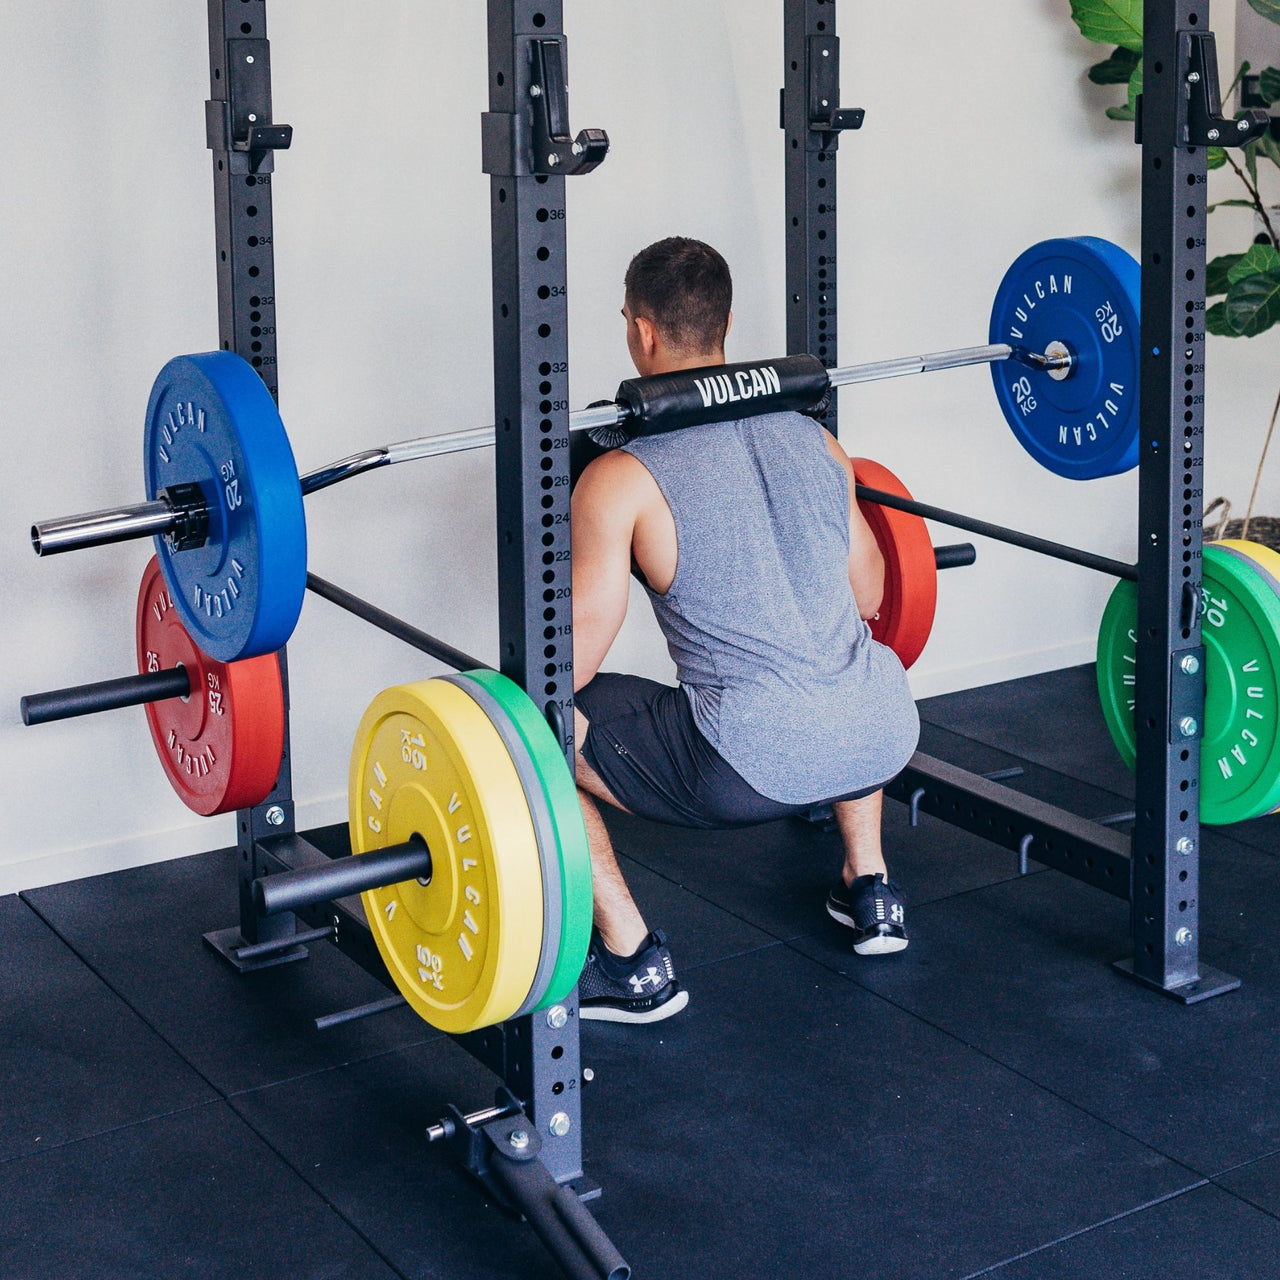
<point>643,406</point>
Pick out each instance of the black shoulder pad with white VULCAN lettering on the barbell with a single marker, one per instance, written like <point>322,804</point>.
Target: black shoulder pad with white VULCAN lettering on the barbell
<point>719,394</point>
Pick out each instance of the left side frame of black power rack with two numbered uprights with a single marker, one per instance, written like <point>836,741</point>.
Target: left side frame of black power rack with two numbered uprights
<point>528,1148</point>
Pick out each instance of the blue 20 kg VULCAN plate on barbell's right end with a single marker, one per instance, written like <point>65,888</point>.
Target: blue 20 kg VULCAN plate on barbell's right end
<point>1085,295</point>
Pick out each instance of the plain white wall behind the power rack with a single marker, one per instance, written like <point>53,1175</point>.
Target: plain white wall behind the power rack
<point>982,138</point>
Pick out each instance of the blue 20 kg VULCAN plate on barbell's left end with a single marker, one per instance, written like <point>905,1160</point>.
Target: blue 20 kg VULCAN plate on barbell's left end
<point>212,422</point>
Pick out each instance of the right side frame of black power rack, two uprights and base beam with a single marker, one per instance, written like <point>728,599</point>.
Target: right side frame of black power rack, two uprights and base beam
<point>1158,870</point>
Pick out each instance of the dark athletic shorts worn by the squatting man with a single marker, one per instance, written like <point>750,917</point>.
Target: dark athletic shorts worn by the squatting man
<point>644,744</point>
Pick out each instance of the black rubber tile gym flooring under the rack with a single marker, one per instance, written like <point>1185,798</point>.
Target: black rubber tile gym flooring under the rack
<point>996,1101</point>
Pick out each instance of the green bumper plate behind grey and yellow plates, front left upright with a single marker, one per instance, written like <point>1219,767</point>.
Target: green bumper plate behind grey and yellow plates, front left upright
<point>570,830</point>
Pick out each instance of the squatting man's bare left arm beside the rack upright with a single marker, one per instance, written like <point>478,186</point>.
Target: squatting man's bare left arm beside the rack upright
<point>605,514</point>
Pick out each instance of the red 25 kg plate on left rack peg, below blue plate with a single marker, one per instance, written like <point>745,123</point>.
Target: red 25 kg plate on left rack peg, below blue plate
<point>222,746</point>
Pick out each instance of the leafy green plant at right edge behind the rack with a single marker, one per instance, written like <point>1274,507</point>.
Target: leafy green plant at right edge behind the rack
<point>1247,282</point>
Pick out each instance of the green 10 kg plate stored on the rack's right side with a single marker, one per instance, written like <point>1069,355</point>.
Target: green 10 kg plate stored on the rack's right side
<point>1241,630</point>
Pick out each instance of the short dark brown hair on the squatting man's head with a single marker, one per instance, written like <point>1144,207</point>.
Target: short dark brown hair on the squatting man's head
<point>684,287</point>
